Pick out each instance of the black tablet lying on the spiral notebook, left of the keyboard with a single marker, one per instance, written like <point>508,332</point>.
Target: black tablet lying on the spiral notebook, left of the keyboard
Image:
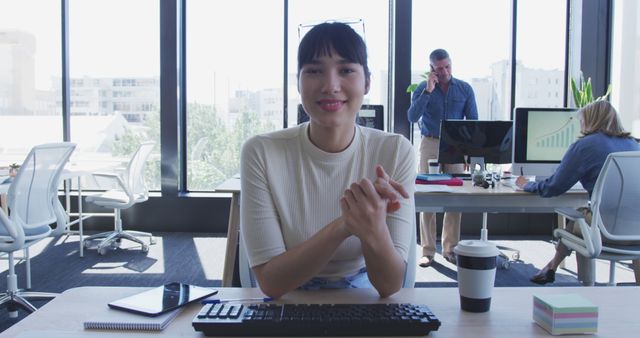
<point>162,299</point>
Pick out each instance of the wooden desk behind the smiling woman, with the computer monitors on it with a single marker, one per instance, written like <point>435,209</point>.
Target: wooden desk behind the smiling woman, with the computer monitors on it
<point>466,198</point>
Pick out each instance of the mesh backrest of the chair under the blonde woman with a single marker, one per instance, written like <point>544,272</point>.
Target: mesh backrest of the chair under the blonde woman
<point>616,195</point>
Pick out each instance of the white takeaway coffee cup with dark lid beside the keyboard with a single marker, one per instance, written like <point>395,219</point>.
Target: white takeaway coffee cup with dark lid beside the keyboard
<point>476,260</point>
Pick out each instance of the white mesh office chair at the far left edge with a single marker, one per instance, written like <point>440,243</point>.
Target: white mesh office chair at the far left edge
<point>33,200</point>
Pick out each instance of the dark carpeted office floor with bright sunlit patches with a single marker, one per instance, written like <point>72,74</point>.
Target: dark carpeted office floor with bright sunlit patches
<point>197,259</point>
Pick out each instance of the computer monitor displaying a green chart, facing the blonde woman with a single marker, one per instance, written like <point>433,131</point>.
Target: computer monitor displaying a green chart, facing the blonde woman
<point>541,138</point>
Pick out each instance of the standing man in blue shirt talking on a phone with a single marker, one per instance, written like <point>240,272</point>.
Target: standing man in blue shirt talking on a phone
<point>440,97</point>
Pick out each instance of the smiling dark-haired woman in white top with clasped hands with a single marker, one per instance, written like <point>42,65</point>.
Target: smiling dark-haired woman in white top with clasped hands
<point>315,197</point>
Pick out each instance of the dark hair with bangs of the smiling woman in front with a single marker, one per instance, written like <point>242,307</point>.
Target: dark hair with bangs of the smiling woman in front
<point>344,40</point>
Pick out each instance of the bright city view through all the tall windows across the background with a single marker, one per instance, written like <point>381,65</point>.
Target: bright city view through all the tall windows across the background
<point>235,69</point>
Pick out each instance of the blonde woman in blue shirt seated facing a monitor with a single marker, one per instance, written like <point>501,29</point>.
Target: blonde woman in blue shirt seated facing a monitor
<point>602,134</point>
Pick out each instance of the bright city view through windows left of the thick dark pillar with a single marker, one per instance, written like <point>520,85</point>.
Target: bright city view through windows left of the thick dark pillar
<point>114,80</point>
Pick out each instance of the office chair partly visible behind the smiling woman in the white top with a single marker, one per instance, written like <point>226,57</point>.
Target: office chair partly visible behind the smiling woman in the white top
<point>248,280</point>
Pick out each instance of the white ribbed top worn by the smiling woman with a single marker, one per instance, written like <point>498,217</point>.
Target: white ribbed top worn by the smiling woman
<point>291,189</point>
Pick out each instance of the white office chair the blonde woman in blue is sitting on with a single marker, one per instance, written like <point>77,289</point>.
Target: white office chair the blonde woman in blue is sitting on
<point>614,204</point>
